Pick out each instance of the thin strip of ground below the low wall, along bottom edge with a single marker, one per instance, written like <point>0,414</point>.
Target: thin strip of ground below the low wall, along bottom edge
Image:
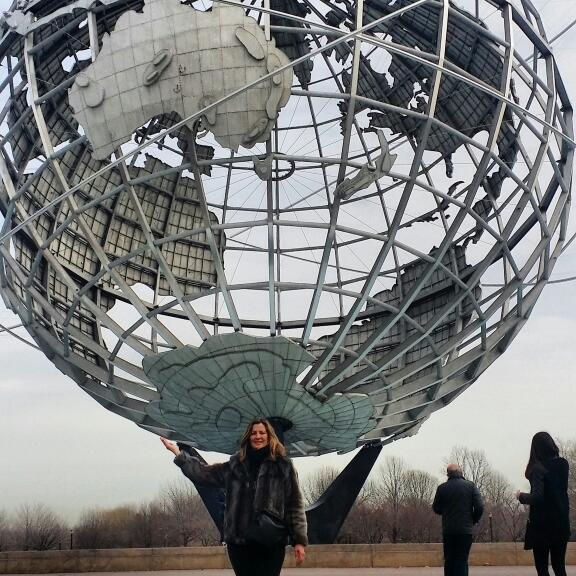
<point>474,571</point>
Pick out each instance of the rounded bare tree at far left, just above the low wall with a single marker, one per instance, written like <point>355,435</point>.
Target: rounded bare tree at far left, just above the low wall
<point>38,528</point>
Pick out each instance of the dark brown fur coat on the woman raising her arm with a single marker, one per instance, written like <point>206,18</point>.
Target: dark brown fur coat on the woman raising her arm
<point>276,492</point>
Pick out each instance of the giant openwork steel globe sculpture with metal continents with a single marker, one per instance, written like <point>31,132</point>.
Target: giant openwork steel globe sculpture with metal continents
<point>333,214</point>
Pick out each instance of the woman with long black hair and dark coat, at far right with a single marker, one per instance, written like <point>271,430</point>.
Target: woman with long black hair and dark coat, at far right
<point>548,528</point>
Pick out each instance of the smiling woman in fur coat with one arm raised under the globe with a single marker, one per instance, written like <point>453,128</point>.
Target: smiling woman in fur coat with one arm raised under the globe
<point>258,480</point>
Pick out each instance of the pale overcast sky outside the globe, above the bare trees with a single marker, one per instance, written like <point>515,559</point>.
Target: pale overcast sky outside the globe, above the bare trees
<point>59,447</point>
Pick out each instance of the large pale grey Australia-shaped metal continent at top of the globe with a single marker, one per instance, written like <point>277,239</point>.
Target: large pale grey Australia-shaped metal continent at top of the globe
<point>172,58</point>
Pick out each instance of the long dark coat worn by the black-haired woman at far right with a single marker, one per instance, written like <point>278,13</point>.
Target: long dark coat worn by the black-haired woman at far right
<point>549,519</point>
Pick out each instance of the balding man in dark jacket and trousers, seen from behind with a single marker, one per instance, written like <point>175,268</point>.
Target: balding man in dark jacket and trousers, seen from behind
<point>460,504</point>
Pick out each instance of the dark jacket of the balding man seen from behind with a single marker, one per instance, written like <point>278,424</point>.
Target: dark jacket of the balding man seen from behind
<point>460,504</point>
